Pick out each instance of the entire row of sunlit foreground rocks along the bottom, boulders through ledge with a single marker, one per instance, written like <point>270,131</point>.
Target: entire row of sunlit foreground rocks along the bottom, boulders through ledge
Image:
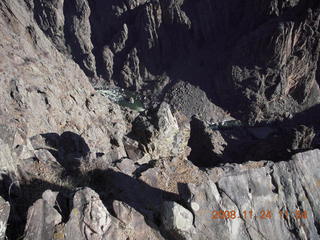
<point>280,196</point>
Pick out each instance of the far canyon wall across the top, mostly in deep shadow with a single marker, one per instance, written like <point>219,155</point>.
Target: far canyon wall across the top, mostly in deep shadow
<point>256,58</point>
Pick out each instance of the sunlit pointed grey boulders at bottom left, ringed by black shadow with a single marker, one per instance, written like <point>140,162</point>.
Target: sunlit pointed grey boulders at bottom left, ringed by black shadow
<point>89,219</point>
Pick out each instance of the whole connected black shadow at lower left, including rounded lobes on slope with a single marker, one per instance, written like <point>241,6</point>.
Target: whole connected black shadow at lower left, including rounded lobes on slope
<point>70,149</point>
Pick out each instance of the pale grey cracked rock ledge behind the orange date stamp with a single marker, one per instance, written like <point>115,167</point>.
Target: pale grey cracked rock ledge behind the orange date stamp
<point>284,186</point>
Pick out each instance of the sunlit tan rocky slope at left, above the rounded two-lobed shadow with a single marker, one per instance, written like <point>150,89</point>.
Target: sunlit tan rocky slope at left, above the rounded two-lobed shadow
<point>43,92</point>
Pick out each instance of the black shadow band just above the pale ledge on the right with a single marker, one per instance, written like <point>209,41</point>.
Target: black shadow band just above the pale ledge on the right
<point>275,142</point>
